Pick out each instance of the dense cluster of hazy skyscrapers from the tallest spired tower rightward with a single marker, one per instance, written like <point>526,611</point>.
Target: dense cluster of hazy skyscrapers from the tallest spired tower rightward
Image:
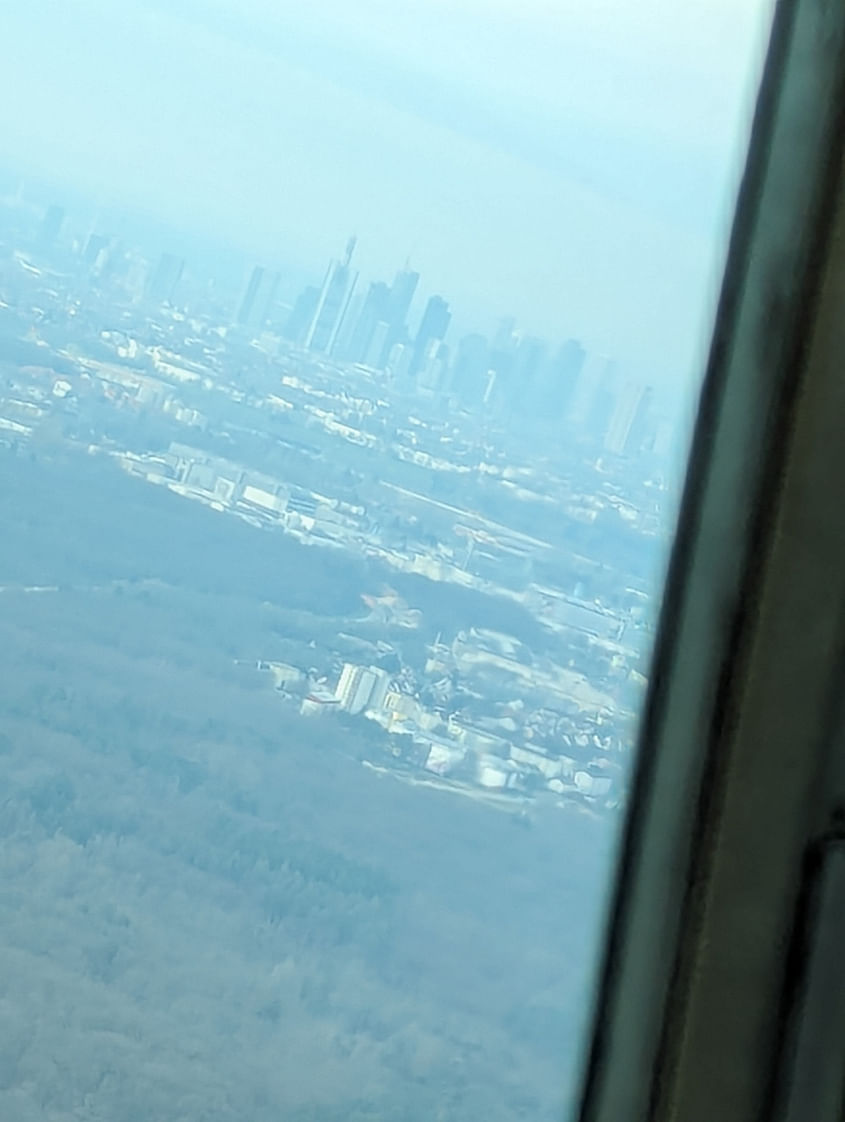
<point>512,375</point>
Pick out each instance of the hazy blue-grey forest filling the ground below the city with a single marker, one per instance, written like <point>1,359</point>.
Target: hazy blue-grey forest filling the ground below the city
<point>213,913</point>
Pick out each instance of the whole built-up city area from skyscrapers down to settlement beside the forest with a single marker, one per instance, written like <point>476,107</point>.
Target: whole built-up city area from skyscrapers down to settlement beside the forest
<point>531,474</point>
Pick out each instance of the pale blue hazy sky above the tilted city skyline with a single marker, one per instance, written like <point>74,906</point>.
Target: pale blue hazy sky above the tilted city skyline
<point>572,163</point>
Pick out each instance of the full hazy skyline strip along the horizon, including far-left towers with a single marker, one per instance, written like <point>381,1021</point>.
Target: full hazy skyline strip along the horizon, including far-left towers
<point>509,376</point>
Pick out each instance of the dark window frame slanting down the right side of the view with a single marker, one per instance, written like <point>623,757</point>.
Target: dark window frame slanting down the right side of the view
<point>664,1047</point>
